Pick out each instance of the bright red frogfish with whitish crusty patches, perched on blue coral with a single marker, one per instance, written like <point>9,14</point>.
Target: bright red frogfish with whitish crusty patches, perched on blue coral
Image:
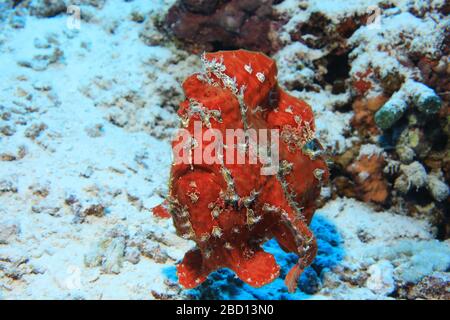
<point>230,210</point>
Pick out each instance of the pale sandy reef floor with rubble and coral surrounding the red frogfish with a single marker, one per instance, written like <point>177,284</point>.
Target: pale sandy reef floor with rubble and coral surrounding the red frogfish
<point>86,117</point>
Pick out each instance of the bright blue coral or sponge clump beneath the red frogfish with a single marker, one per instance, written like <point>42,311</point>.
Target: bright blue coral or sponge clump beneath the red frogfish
<point>223,285</point>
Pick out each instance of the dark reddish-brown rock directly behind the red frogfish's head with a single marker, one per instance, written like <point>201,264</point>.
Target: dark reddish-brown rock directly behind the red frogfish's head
<point>225,24</point>
